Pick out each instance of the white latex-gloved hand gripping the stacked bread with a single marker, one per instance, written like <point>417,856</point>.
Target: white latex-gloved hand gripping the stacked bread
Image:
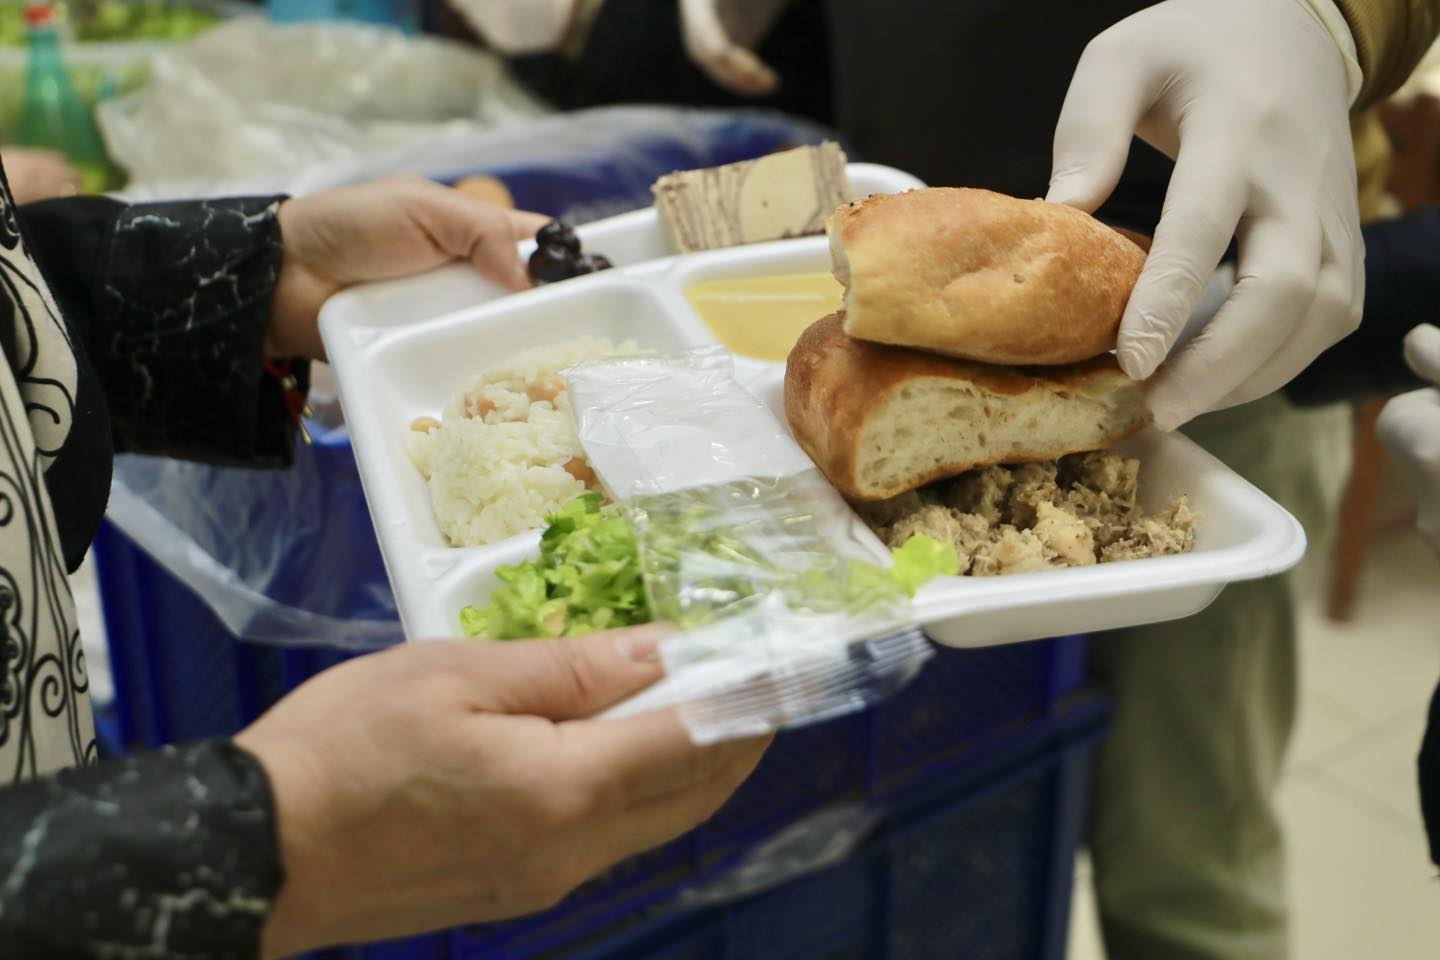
<point>1251,99</point>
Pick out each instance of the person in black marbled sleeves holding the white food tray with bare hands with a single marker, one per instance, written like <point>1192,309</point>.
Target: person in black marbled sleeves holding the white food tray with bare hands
<point>420,788</point>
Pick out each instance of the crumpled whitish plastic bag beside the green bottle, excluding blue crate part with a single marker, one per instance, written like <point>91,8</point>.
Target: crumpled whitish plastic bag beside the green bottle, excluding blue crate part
<point>253,99</point>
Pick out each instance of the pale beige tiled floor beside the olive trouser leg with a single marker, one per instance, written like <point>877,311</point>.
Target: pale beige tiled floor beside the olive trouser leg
<point>1362,886</point>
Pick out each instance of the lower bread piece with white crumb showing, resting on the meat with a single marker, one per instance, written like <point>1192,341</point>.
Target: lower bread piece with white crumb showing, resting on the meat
<point>881,421</point>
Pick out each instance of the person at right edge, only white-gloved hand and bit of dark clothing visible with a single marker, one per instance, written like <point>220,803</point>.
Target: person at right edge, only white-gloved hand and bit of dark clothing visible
<point>1410,430</point>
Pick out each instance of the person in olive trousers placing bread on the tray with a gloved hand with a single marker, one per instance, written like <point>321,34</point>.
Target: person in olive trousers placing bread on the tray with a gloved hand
<point>1230,130</point>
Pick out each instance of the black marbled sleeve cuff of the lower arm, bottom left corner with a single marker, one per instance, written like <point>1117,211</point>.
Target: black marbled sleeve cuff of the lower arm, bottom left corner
<point>171,854</point>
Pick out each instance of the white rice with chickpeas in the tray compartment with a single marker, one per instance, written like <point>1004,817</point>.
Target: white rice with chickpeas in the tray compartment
<point>499,474</point>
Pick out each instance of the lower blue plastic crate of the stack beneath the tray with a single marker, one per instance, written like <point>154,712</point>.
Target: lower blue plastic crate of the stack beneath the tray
<point>978,866</point>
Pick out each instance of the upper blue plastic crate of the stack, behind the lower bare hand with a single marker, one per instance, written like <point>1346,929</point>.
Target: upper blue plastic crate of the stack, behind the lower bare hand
<point>182,676</point>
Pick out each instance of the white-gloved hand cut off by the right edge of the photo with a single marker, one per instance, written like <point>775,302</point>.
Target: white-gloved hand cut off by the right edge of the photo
<point>1410,430</point>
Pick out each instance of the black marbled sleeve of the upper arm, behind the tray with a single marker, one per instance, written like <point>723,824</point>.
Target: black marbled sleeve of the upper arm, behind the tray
<point>171,303</point>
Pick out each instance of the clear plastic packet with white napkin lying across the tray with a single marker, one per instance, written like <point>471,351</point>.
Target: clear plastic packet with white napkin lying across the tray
<point>788,614</point>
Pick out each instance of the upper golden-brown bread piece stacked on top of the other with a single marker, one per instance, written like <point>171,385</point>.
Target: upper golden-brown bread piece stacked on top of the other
<point>984,277</point>
